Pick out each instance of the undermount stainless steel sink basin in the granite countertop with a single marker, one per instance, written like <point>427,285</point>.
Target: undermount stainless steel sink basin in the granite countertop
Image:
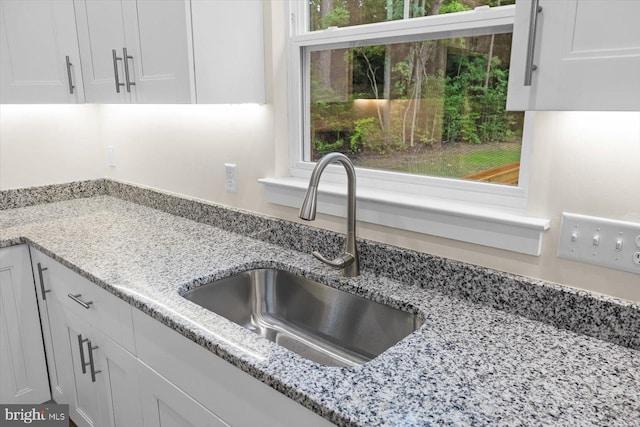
<point>323,324</point>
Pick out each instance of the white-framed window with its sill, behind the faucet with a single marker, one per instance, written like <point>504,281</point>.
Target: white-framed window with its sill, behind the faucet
<point>414,92</point>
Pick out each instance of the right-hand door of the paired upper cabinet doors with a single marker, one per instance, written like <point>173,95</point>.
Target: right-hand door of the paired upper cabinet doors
<point>157,43</point>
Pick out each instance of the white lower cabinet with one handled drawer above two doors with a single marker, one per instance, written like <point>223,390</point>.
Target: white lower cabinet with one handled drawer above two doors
<point>88,369</point>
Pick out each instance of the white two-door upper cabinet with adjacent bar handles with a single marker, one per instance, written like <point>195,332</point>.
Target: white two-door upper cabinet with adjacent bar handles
<point>135,51</point>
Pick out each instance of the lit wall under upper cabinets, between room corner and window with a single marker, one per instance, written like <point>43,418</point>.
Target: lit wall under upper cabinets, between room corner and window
<point>183,148</point>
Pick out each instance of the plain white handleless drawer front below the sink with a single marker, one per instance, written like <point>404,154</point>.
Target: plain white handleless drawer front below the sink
<point>233,395</point>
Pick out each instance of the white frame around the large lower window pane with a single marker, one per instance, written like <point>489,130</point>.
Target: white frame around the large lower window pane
<point>481,21</point>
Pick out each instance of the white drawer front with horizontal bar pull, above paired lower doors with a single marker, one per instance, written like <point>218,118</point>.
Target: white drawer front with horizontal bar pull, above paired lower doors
<point>85,300</point>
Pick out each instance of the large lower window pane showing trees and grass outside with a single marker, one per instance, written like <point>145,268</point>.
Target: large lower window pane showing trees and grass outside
<point>433,107</point>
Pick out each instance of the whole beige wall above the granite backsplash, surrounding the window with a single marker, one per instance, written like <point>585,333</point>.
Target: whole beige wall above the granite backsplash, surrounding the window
<point>582,162</point>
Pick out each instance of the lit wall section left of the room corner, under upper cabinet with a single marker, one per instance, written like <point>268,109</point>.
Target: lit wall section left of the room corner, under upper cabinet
<point>49,144</point>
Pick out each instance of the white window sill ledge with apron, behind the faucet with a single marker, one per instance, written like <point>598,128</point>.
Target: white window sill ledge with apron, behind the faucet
<point>487,226</point>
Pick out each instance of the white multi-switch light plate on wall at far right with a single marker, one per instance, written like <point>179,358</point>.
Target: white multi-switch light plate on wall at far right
<point>600,241</point>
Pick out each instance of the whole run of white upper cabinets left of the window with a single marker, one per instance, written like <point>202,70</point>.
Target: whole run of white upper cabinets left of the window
<point>132,51</point>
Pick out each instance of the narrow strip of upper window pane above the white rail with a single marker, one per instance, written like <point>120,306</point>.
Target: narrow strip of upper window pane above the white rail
<point>344,13</point>
